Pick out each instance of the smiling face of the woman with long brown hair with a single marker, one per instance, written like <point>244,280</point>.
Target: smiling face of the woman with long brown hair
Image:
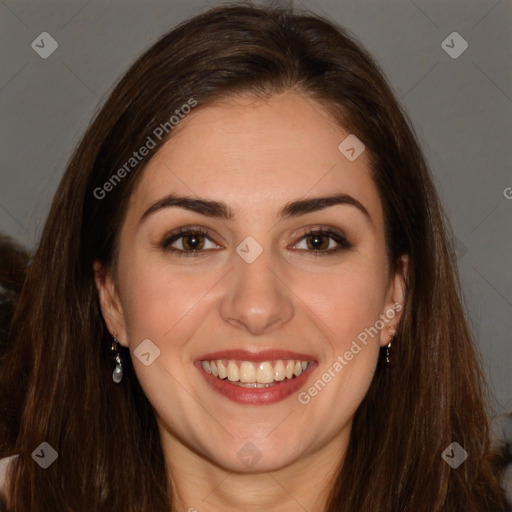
<point>292,296</point>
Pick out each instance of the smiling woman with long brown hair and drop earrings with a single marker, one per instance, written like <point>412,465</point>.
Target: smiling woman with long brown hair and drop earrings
<point>244,297</point>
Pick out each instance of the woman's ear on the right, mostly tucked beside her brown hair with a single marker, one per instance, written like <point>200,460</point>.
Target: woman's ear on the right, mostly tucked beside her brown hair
<point>395,301</point>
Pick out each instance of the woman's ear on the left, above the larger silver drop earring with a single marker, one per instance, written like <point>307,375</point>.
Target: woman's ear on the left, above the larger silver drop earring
<point>110,302</point>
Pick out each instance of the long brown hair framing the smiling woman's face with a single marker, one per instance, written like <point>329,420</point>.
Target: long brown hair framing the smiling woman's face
<point>56,383</point>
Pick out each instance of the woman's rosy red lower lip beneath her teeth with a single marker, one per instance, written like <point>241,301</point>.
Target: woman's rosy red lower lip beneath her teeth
<point>257,396</point>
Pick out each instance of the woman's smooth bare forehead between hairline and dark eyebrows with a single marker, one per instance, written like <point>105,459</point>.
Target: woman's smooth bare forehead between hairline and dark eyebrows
<point>256,155</point>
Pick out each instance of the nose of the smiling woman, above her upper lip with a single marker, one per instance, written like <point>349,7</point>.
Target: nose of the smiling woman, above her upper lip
<point>257,298</point>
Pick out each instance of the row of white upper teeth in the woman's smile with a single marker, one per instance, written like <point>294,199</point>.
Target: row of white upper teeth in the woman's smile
<point>263,372</point>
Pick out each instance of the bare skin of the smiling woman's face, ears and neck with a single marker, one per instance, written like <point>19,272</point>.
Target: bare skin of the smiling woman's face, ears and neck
<point>256,156</point>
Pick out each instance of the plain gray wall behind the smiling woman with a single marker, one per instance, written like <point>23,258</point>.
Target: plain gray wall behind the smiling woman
<point>461,109</point>
